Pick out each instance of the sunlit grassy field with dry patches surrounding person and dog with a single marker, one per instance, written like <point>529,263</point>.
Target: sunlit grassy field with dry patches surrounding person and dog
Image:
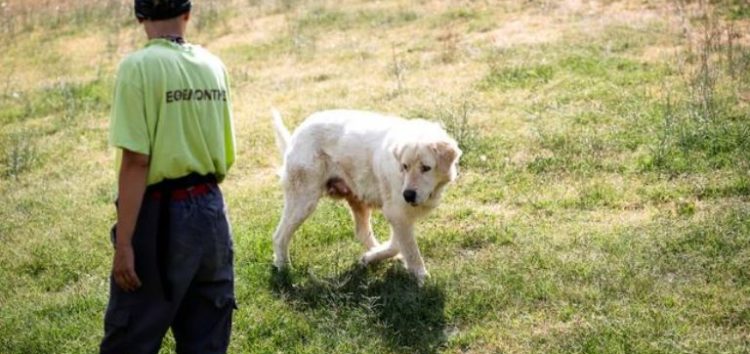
<point>602,204</point>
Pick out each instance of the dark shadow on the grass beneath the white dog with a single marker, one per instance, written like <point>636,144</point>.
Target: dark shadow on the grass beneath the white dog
<point>411,318</point>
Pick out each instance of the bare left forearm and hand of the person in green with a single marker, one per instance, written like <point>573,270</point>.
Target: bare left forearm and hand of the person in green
<point>131,188</point>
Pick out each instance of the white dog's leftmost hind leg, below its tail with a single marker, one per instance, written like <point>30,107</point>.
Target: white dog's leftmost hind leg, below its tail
<point>298,205</point>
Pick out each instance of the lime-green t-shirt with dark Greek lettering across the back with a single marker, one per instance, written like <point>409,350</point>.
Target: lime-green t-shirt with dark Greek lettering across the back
<point>172,103</point>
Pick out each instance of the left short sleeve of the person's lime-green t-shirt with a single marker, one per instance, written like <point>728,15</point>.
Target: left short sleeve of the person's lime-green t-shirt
<point>128,126</point>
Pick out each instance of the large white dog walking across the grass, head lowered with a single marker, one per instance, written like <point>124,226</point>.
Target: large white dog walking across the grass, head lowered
<point>371,161</point>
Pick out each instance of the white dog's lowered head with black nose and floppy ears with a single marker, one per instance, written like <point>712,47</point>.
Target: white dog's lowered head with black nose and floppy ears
<point>427,165</point>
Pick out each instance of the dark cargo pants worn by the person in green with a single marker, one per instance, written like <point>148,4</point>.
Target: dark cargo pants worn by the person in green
<point>200,271</point>
